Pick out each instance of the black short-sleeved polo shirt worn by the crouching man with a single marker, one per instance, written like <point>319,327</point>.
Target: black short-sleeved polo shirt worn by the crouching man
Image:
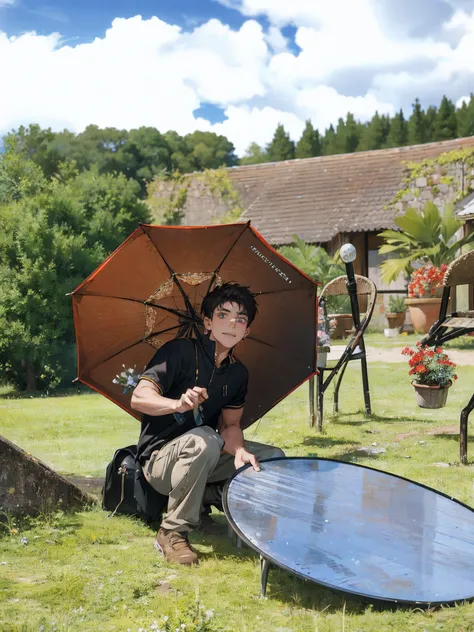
<point>181,364</point>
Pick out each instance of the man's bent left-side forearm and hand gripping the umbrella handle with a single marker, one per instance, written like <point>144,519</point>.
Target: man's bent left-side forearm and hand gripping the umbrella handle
<point>147,399</point>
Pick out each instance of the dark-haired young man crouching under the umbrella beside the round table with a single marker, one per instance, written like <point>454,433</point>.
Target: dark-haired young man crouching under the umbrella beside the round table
<point>192,395</point>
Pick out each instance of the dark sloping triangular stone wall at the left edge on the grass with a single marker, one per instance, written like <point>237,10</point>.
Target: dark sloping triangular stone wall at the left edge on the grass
<point>28,486</point>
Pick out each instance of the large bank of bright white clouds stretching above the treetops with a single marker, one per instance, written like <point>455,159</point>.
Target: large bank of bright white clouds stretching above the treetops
<point>148,72</point>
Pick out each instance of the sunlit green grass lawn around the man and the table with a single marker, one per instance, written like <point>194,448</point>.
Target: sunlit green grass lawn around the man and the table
<point>86,572</point>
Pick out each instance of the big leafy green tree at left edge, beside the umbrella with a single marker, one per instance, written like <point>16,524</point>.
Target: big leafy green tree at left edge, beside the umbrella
<point>52,239</point>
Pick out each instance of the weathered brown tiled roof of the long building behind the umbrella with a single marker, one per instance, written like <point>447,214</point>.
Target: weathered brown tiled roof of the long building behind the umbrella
<point>317,198</point>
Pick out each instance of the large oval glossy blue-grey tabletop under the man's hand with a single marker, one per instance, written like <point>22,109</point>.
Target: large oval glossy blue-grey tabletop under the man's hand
<point>356,529</point>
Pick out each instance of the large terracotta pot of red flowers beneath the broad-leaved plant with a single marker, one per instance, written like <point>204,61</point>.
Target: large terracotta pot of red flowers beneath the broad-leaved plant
<point>424,296</point>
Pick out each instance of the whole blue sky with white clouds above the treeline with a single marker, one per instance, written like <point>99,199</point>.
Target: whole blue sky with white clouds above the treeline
<point>235,67</point>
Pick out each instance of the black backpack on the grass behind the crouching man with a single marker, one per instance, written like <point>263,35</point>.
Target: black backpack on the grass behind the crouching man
<point>126,490</point>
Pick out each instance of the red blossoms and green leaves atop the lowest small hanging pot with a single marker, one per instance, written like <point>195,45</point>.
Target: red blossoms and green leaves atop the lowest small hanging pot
<point>430,366</point>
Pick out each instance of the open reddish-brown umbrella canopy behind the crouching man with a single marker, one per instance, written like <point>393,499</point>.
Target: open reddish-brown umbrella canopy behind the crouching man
<point>150,289</point>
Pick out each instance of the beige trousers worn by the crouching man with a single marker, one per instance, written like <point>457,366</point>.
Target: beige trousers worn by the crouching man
<point>184,466</point>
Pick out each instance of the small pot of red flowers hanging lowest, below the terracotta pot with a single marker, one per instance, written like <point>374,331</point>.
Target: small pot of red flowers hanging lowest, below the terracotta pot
<point>433,374</point>
